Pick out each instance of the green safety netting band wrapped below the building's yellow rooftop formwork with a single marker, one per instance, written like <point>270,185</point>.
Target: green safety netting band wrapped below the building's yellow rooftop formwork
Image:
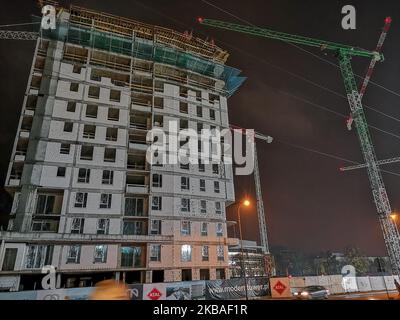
<point>148,50</point>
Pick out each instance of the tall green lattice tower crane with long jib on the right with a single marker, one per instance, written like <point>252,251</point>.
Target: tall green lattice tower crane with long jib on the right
<point>344,54</point>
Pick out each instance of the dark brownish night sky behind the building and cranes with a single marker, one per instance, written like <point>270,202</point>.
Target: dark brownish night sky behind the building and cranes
<point>309,205</point>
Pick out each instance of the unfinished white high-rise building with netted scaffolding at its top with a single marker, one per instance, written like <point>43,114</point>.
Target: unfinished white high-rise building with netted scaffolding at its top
<point>86,201</point>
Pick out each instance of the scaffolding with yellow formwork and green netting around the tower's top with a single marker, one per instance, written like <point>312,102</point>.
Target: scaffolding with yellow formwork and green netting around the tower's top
<point>91,29</point>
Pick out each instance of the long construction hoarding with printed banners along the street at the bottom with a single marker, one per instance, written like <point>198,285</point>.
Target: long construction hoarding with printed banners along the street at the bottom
<point>229,289</point>
